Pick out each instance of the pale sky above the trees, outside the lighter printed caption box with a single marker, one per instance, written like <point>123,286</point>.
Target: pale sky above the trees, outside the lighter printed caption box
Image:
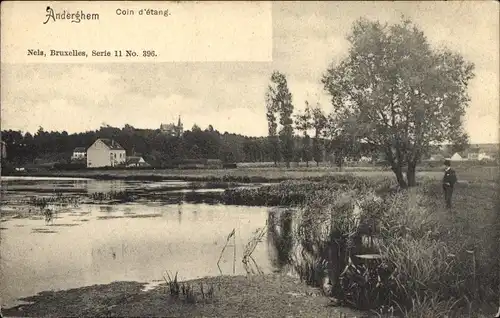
<point>307,38</point>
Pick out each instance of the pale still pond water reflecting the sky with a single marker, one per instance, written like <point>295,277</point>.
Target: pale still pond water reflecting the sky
<point>96,243</point>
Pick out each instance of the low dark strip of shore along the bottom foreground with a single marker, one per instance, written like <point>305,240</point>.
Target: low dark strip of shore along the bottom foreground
<point>254,296</point>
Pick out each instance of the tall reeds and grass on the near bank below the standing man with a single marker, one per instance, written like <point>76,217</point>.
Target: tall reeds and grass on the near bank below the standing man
<point>430,260</point>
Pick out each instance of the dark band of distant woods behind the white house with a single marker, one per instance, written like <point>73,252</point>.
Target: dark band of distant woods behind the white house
<point>156,147</point>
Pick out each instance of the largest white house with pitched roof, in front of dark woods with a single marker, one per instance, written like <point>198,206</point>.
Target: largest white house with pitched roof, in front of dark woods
<point>105,153</point>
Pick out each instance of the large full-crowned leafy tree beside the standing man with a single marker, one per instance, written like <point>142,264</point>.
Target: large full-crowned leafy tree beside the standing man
<point>399,94</point>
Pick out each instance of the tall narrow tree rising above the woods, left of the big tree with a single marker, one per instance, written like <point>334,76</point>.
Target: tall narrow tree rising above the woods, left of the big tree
<point>279,99</point>
